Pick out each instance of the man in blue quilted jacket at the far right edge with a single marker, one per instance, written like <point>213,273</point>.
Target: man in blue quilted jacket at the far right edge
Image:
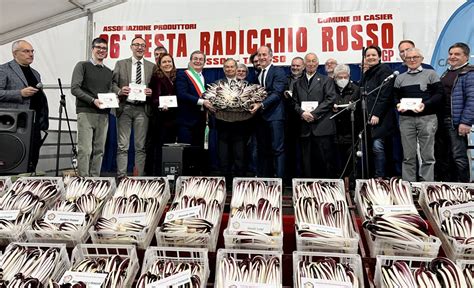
<point>457,115</point>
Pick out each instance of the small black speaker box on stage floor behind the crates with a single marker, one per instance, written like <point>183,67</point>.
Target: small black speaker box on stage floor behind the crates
<point>180,159</point>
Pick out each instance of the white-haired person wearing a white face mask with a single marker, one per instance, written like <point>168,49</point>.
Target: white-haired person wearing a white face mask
<point>347,92</point>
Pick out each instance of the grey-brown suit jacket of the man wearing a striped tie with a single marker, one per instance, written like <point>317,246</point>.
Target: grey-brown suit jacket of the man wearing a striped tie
<point>122,77</point>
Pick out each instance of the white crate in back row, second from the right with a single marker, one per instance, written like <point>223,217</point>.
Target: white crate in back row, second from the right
<point>377,246</point>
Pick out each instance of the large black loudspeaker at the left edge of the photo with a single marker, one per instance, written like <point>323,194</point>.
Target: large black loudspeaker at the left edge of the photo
<point>16,127</point>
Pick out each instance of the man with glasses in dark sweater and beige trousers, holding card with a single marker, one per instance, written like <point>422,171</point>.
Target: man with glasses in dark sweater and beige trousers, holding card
<point>90,78</point>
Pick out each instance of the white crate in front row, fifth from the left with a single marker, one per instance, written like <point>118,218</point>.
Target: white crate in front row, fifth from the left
<point>354,261</point>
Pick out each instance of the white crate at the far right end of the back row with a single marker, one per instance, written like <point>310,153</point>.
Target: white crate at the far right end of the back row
<point>453,249</point>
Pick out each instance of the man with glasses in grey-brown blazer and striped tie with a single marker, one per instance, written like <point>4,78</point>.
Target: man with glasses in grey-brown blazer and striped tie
<point>132,75</point>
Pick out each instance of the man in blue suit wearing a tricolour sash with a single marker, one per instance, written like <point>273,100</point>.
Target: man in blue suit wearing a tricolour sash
<point>191,118</point>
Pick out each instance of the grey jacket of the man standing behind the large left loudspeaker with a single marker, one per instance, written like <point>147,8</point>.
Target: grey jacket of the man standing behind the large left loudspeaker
<point>12,80</point>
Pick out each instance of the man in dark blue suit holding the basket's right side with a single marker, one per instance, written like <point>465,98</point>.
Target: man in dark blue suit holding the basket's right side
<point>271,127</point>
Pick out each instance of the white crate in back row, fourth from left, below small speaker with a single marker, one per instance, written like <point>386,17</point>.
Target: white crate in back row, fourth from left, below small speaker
<point>208,240</point>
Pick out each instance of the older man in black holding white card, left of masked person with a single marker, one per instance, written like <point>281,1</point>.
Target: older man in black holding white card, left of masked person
<point>314,96</point>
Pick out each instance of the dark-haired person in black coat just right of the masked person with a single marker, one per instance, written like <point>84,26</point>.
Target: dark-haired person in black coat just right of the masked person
<point>380,108</point>
